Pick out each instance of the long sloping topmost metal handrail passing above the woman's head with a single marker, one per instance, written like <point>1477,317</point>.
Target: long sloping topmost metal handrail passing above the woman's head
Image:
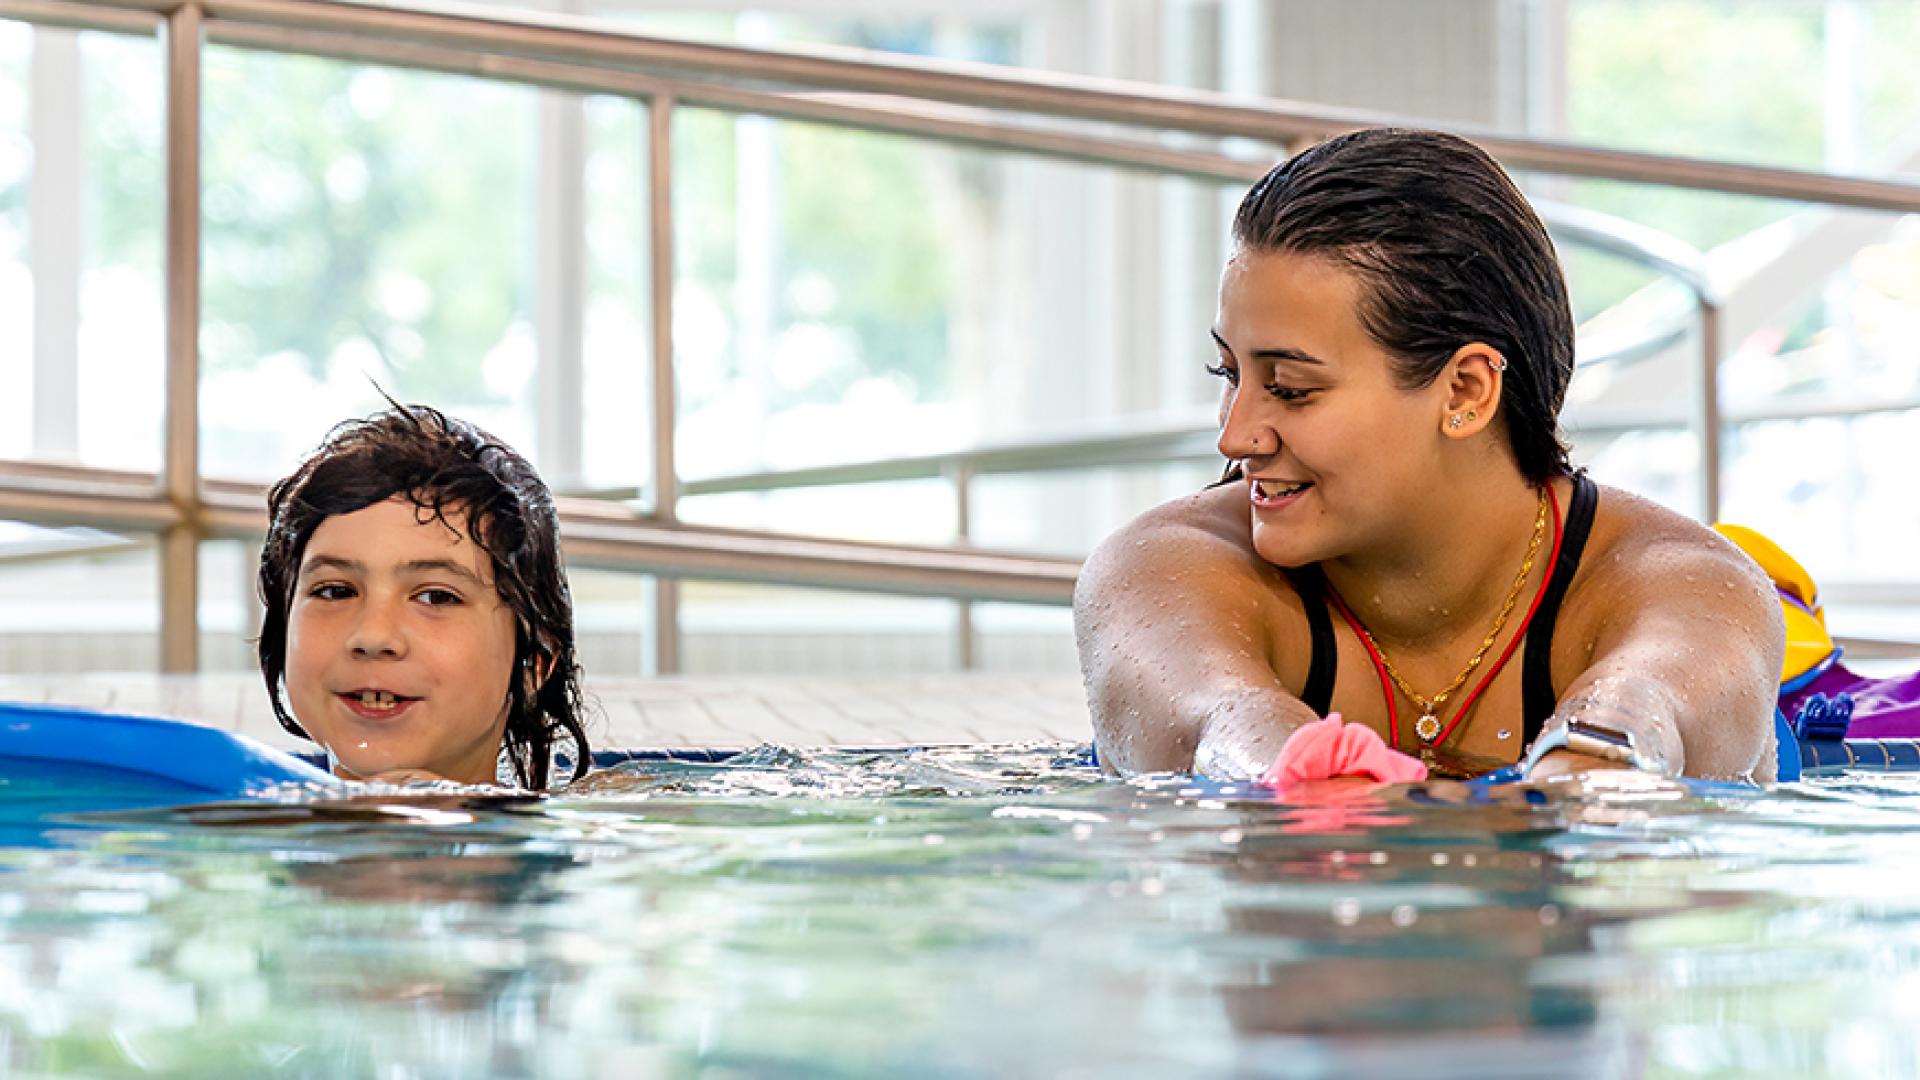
<point>588,43</point>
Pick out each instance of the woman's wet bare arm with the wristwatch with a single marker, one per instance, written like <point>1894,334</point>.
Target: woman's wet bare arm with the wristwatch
<point>1687,658</point>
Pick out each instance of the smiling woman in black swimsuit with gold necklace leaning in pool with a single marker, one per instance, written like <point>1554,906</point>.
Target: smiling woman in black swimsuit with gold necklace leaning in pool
<point>1401,541</point>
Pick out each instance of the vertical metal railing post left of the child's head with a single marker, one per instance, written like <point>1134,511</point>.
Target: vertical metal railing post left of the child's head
<point>180,549</point>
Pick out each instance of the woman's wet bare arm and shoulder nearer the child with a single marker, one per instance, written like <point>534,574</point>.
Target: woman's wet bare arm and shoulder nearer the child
<point>1174,626</point>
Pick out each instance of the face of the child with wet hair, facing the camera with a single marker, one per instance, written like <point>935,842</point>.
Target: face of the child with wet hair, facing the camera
<point>398,647</point>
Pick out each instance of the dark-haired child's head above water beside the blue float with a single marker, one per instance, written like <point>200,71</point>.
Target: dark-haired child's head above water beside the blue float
<point>418,620</point>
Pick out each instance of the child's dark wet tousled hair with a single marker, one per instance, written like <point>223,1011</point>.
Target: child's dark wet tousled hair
<point>443,466</point>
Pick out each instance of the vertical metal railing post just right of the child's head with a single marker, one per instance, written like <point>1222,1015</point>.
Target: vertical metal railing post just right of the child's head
<point>665,412</point>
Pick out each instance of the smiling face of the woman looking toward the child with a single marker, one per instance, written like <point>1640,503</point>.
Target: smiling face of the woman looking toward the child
<point>1333,449</point>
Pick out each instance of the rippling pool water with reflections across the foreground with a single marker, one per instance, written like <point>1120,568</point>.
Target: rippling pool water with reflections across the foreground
<point>984,912</point>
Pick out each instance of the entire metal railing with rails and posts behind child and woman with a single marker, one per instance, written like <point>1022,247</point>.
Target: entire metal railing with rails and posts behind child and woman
<point>583,55</point>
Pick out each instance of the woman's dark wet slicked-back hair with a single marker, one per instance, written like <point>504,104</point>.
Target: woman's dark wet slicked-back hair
<point>1449,253</point>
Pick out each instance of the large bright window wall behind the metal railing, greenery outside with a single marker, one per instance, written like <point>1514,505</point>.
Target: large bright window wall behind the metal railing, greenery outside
<point>848,295</point>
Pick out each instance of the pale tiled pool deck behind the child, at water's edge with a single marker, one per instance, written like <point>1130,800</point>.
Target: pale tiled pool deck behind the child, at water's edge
<point>656,714</point>
